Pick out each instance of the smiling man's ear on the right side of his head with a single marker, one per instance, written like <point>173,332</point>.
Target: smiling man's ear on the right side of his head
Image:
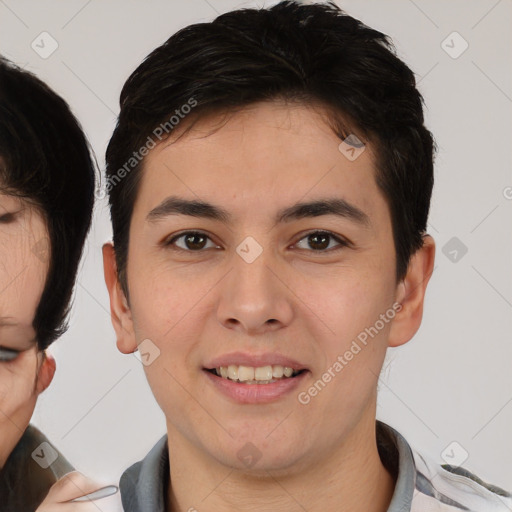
<point>411,294</point>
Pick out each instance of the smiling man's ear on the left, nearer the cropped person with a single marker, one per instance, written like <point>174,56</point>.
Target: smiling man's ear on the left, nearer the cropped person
<point>119,309</point>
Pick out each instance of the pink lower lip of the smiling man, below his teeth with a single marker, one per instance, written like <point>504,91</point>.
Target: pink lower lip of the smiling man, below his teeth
<point>255,393</point>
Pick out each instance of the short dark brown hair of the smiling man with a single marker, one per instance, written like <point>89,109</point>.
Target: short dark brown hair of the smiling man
<point>311,54</point>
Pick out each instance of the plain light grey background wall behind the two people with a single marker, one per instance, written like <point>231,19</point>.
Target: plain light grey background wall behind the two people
<point>453,381</point>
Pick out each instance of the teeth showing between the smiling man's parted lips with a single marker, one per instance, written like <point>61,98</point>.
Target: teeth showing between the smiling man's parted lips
<point>251,375</point>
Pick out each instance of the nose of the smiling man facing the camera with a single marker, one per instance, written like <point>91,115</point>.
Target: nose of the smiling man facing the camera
<point>253,298</point>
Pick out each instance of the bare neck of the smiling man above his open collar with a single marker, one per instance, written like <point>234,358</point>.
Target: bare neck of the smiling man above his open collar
<point>350,477</point>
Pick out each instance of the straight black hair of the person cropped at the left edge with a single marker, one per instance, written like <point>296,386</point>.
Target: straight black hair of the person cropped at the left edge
<point>46,161</point>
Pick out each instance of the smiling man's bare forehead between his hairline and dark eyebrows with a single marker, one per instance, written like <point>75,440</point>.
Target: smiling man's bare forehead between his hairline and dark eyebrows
<point>270,151</point>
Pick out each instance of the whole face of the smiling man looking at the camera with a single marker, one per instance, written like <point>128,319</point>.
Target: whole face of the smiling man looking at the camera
<point>265,284</point>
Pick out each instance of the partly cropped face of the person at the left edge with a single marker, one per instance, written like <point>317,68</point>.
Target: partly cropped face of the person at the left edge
<point>24,248</point>
